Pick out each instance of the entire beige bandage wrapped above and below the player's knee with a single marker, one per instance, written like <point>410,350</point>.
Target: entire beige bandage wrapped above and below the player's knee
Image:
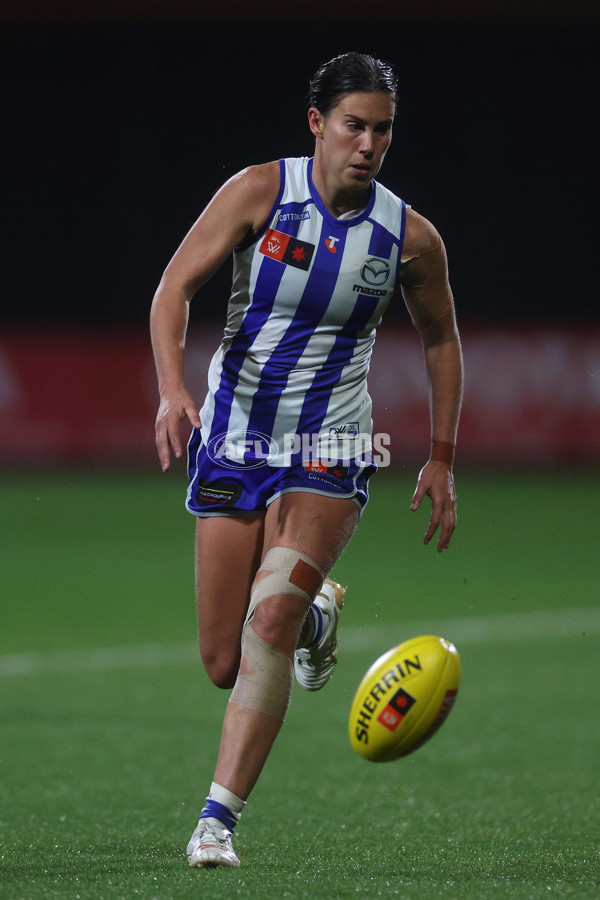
<point>265,679</point>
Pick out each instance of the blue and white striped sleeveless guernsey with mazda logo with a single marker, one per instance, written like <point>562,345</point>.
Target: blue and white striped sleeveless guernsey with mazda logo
<point>308,293</point>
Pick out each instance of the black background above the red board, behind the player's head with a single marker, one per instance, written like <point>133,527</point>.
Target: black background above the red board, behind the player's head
<point>122,121</point>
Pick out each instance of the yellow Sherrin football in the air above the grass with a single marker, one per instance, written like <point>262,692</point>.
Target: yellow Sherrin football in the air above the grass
<point>404,698</point>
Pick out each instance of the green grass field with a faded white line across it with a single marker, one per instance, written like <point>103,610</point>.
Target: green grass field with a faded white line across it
<point>109,727</point>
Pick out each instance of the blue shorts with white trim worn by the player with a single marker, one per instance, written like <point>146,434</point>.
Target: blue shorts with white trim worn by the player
<point>215,490</point>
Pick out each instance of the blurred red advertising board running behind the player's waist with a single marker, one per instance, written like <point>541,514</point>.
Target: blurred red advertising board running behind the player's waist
<point>81,397</point>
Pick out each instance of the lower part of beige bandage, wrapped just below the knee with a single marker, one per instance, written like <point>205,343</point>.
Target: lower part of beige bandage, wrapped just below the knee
<point>265,679</point>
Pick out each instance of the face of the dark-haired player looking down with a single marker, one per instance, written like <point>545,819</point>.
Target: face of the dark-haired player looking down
<point>353,138</point>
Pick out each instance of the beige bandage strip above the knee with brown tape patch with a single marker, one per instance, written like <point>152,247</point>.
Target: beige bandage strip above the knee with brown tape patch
<point>290,572</point>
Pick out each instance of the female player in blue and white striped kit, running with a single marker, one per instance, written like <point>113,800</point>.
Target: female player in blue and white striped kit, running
<point>320,249</point>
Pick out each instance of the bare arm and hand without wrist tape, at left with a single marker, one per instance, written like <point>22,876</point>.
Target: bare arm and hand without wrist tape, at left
<point>236,212</point>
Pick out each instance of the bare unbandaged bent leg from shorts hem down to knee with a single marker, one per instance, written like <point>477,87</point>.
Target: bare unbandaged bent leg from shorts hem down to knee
<point>228,553</point>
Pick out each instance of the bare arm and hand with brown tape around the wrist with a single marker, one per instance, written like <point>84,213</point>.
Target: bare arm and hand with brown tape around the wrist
<point>428,297</point>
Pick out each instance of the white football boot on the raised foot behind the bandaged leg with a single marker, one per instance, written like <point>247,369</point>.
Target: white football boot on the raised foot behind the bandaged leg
<point>314,665</point>
